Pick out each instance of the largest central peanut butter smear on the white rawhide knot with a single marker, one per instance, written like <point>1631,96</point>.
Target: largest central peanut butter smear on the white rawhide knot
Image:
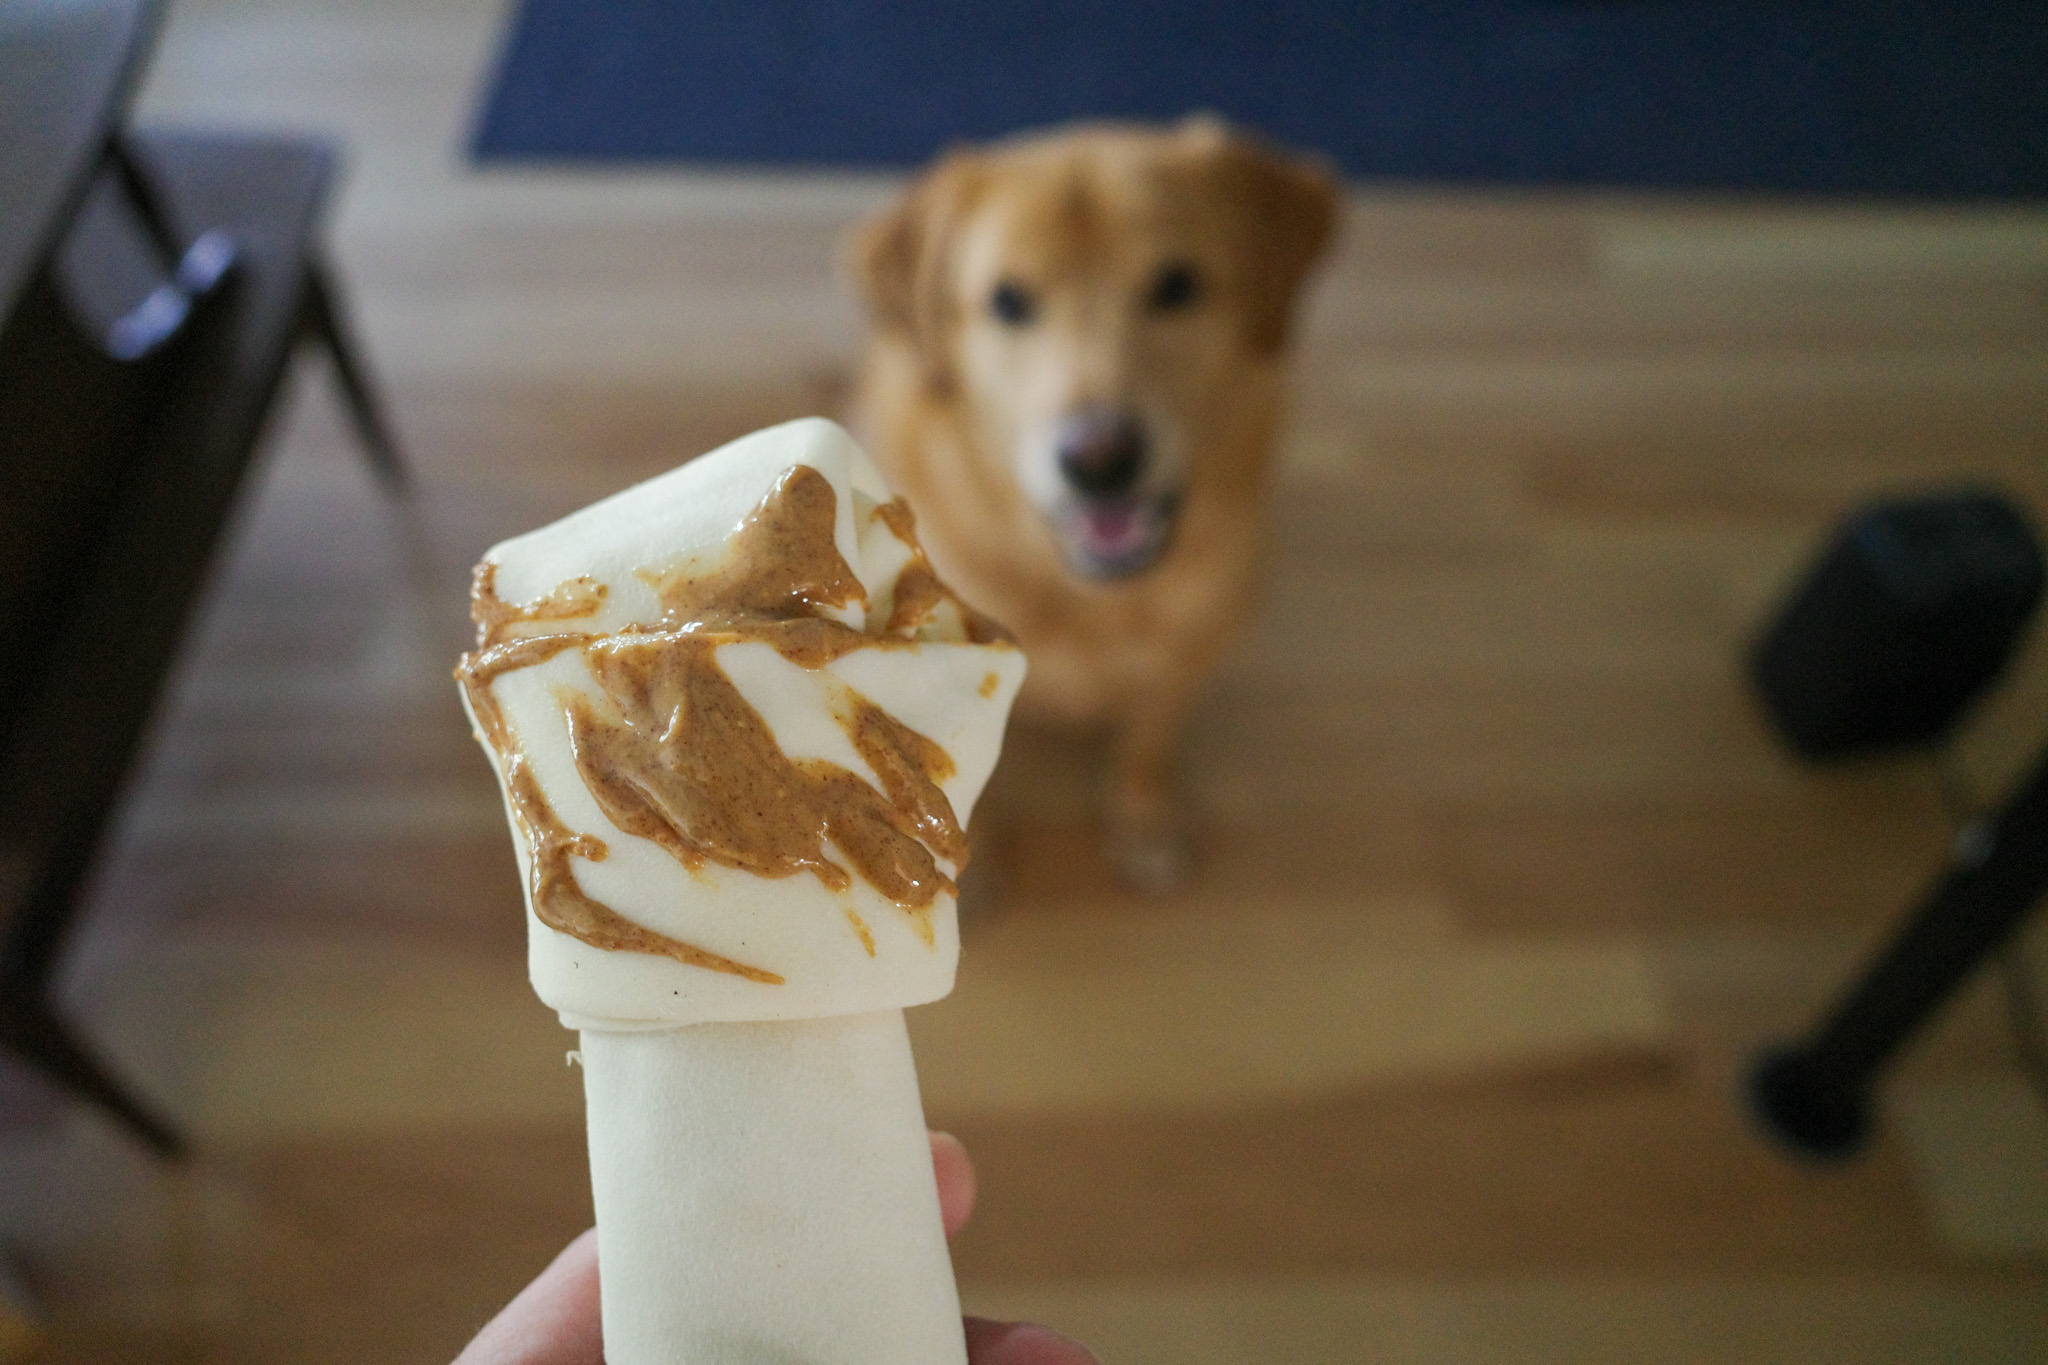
<point>687,762</point>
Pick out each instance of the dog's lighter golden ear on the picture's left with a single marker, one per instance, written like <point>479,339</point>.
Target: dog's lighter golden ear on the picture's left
<point>900,261</point>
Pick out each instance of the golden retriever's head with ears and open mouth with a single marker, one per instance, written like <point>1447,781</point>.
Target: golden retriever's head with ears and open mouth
<point>1089,300</point>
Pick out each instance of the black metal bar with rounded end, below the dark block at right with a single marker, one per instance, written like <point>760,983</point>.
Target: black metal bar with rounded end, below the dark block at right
<point>1816,1094</point>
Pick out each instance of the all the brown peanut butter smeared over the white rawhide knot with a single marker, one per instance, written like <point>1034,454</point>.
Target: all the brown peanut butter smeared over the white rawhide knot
<point>675,754</point>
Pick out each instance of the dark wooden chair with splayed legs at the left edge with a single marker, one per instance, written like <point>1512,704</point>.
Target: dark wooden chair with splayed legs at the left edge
<point>138,367</point>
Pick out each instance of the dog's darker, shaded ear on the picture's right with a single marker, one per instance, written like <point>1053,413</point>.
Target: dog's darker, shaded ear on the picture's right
<point>1283,210</point>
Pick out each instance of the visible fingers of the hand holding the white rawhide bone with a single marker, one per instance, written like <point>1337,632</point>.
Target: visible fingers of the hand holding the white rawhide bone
<point>554,1321</point>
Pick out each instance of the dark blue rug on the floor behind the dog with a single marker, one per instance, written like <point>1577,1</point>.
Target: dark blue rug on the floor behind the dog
<point>1857,97</point>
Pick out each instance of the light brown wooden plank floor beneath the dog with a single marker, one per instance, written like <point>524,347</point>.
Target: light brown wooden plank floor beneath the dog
<point>1502,879</point>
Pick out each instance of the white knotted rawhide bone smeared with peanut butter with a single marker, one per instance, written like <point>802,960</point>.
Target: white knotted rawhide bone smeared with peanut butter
<point>740,728</point>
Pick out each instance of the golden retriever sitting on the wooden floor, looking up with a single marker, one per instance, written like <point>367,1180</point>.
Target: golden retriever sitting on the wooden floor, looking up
<point>1076,378</point>
